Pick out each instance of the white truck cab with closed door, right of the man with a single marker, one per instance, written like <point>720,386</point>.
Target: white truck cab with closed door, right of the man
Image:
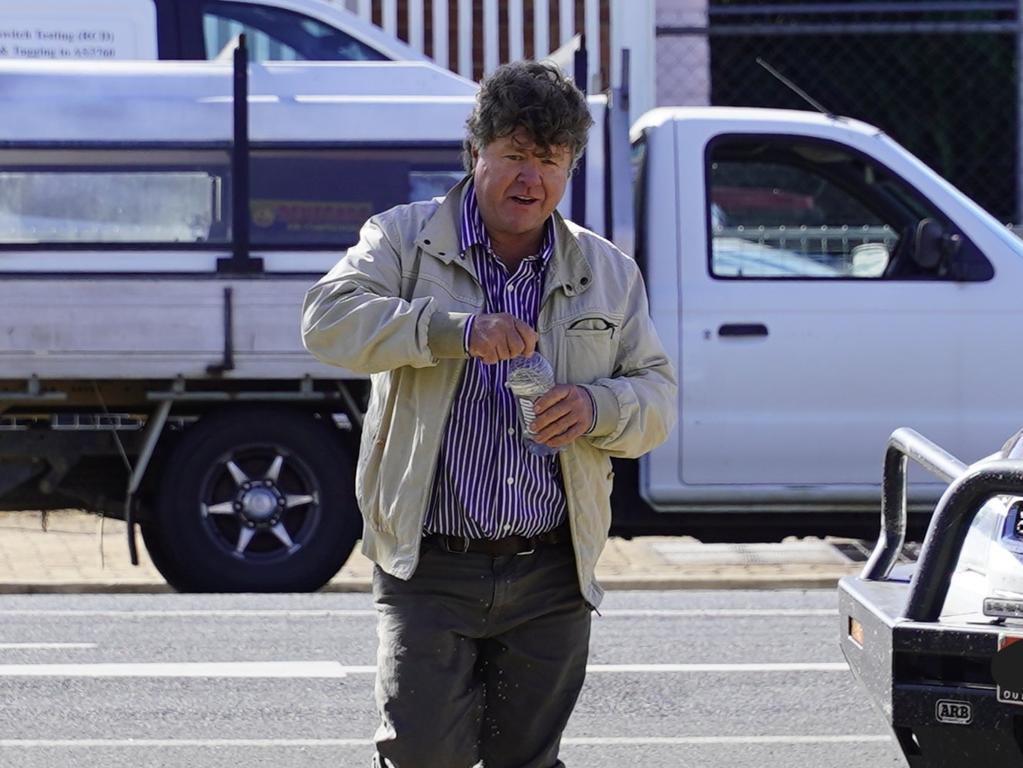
<point>819,287</point>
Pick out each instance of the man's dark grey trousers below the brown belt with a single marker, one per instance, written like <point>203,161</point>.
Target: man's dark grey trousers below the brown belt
<point>481,660</point>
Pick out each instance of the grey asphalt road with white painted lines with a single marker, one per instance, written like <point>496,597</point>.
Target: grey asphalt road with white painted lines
<point>677,681</point>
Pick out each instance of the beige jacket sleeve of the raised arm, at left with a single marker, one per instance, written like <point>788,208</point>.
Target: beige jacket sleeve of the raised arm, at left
<point>355,318</point>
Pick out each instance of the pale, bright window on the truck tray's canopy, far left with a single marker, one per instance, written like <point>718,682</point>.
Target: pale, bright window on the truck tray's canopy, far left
<point>97,197</point>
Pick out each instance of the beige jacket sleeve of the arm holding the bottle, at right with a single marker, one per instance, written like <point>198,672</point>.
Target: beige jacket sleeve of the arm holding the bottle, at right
<point>637,408</point>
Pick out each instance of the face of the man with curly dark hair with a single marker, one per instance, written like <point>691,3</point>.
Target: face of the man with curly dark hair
<point>519,186</point>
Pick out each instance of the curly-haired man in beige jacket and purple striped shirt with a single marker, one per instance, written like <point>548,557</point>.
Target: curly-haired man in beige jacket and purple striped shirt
<point>485,553</point>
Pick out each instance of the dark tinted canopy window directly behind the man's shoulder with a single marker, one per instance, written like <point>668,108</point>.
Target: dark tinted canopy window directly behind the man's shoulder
<point>321,198</point>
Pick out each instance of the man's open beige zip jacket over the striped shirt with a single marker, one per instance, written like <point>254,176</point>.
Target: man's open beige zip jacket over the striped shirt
<point>396,306</point>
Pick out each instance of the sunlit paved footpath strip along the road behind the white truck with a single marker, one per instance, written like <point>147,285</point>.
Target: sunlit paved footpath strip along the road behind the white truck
<point>72,552</point>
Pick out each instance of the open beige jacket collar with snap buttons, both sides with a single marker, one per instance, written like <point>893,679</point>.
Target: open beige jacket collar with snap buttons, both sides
<point>568,269</point>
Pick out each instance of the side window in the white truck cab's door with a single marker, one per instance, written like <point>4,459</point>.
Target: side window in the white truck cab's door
<point>792,209</point>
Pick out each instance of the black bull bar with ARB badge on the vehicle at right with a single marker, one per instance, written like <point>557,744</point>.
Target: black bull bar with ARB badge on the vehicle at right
<point>931,680</point>
